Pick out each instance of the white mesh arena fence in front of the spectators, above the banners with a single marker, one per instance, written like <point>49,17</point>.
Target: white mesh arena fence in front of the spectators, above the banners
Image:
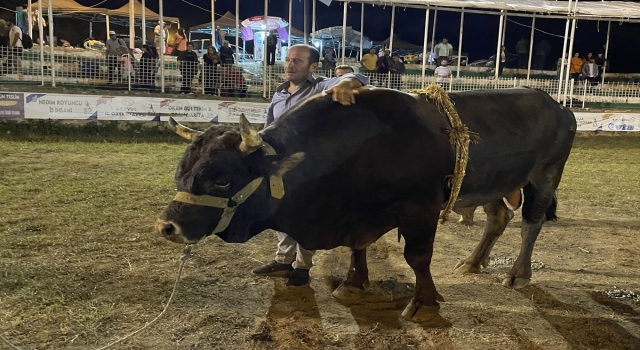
<point>92,70</point>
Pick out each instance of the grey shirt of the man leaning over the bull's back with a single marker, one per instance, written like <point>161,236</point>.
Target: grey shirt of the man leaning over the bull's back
<point>282,100</point>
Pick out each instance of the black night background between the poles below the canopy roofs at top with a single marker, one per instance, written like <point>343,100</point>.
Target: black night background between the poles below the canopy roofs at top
<point>480,31</point>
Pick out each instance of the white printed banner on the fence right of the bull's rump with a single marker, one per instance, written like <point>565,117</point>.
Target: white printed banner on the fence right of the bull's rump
<point>589,121</point>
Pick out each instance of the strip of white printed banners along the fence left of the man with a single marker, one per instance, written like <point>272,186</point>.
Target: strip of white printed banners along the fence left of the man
<point>96,107</point>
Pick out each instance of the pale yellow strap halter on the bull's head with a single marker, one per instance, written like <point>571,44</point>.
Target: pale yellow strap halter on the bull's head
<point>229,205</point>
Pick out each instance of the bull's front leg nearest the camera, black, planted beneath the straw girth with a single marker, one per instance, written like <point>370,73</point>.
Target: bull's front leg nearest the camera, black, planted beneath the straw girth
<point>419,233</point>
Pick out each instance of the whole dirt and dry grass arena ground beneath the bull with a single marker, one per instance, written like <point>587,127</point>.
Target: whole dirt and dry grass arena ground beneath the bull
<point>80,266</point>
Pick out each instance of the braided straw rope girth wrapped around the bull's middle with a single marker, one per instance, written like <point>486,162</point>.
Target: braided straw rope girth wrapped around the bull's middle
<point>459,136</point>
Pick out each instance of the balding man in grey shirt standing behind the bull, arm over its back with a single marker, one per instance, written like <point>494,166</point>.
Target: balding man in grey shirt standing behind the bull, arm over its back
<point>292,260</point>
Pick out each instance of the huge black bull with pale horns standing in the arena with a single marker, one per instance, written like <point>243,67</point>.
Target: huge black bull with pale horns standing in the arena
<point>352,173</point>
